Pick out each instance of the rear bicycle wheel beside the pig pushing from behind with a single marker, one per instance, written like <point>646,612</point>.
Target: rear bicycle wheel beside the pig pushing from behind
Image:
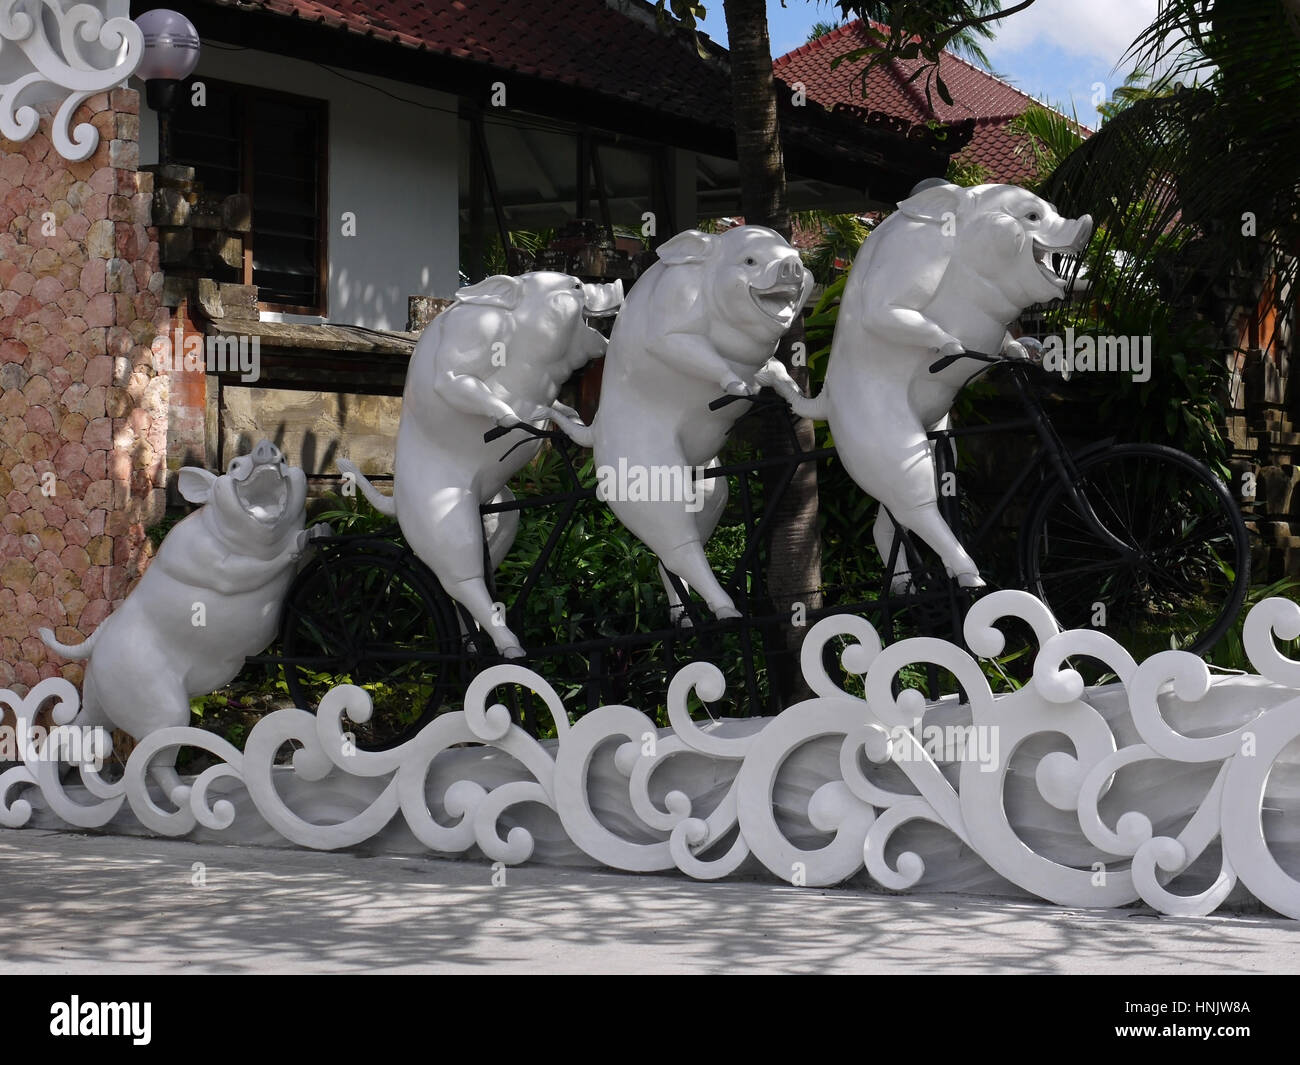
<point>369,614</point>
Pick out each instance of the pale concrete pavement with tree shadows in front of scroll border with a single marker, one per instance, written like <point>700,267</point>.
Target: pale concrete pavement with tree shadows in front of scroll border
<point>114,904</point>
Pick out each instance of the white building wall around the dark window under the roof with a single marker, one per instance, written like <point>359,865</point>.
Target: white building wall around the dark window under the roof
<point>392,162</point>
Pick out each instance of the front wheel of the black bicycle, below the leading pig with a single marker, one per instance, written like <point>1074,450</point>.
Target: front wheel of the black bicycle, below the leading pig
<point>1186,577</point>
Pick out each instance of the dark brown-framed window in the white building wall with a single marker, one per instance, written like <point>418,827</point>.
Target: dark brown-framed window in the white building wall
<point>271,146</point>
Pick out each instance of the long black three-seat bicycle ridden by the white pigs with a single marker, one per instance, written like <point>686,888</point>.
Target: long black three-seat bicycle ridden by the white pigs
<point>1138,540</point>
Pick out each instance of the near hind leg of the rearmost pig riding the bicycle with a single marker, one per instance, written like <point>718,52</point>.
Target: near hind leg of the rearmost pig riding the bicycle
<point>453,547</point>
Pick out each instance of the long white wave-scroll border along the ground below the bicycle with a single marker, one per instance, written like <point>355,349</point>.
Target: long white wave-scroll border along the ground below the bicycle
<point>1169,786</point>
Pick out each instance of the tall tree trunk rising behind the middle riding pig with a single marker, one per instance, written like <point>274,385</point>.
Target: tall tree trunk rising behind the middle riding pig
<point>795,547</point>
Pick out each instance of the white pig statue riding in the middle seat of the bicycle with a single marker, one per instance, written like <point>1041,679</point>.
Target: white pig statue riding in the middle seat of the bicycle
<point>700,323</point>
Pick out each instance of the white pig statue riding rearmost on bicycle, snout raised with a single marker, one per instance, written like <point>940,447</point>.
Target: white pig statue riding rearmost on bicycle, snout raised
<point>497,357</point>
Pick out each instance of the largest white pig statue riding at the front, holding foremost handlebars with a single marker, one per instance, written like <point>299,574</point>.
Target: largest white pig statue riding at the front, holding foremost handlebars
<point>946,274</point>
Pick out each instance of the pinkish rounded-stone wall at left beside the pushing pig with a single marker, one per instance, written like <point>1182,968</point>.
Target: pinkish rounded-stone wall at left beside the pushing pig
<point>80,306</point>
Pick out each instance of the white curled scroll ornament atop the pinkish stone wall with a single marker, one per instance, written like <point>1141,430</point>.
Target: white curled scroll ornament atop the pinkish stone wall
<point>51,50</point>
